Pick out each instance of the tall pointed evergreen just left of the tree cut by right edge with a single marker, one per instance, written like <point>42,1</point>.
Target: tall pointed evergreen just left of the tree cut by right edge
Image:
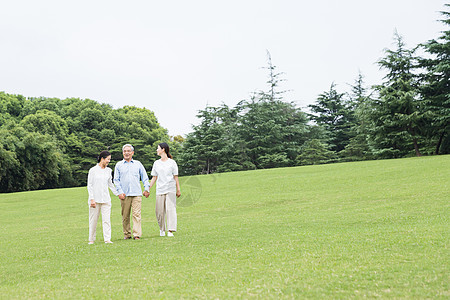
<point>397,116</point>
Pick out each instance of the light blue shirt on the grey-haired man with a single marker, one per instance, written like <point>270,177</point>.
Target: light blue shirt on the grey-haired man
<point>128,176</point>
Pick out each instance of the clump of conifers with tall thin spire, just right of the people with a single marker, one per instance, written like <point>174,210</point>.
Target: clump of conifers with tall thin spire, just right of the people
<point>263,132</point>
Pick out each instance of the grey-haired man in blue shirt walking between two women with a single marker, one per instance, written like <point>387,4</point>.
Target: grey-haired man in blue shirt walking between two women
<point>128,174</point>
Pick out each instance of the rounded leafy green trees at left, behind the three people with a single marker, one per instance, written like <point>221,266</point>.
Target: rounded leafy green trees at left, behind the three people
<point>51,143</point>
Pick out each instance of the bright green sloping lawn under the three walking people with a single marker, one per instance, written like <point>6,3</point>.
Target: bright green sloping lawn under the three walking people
<point>349,230</point>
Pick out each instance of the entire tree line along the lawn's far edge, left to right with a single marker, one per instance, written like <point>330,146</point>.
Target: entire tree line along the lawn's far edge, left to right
<point>52,143</point>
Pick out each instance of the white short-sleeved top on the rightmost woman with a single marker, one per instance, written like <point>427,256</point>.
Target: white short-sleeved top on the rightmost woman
<point>165,170</point>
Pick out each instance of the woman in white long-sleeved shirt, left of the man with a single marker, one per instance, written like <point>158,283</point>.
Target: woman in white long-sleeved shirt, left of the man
<point>99,179</point>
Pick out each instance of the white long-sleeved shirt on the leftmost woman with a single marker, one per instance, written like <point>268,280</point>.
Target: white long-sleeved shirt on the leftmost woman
<point>98,182</point>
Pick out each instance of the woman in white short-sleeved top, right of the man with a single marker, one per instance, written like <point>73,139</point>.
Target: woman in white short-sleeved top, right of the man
<point>165,174</point>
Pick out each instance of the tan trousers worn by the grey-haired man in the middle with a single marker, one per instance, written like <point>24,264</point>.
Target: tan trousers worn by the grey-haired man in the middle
<point>131,203</point>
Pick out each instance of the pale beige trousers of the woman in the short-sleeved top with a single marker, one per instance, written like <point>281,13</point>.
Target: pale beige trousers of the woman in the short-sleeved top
<point>166,205</point>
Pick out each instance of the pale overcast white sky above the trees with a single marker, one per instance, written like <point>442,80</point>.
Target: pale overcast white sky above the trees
<point>177,57</point>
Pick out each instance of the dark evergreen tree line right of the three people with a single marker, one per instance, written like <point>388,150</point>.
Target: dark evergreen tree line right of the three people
<point>405,115</point>
